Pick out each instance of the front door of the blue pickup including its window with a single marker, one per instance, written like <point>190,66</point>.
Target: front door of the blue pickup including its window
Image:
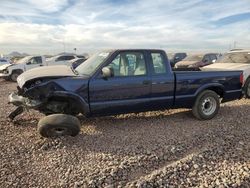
<point>128,90</point>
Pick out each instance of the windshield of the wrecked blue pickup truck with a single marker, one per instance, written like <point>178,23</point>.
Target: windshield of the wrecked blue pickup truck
<point>90,65</point>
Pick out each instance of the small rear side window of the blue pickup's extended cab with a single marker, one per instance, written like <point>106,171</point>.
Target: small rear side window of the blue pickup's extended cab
<point>158,63</point>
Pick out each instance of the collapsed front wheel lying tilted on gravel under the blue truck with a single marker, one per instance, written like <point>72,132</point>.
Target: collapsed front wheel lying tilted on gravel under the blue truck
<point>59,125</point>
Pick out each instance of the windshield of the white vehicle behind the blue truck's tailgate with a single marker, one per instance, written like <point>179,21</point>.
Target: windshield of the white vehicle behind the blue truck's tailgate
<point>241,57</point>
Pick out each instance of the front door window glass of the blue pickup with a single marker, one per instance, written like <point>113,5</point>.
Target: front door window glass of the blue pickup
<point>128,64</point>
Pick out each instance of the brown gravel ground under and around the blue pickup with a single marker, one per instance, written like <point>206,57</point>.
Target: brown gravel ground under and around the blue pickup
<point>153,149</point>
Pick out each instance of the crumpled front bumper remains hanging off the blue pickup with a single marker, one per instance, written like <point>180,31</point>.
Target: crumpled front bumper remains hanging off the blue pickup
<point>22,103</point>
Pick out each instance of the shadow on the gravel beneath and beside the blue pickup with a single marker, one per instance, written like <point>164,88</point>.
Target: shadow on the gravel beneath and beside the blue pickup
<point>144,130</point>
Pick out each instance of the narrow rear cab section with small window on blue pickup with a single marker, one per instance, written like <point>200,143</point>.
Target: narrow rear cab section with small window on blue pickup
<point>162,93</point>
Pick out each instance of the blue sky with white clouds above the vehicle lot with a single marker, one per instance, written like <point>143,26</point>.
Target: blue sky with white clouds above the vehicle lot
<point>50,26</point>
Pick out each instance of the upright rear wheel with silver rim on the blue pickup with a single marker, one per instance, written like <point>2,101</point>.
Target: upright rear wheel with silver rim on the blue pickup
<point>207,105</point>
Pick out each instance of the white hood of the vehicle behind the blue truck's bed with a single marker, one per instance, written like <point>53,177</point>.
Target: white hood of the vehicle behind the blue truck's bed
<point>226,66</point>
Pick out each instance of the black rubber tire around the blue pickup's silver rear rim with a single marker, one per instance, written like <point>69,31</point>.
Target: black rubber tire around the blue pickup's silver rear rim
<point>197,112</point>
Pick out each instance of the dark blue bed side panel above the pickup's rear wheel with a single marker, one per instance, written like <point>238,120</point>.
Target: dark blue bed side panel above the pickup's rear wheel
<point>190,84</point>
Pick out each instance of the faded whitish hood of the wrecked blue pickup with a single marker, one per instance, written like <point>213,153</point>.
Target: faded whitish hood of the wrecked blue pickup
<point>43,72</point>
